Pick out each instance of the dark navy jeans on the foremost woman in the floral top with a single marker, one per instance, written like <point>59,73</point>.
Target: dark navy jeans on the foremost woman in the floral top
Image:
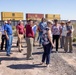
<point>46,54</point>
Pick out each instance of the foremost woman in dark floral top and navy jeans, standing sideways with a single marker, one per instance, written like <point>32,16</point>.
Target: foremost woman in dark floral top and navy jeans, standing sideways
<point>47,43</point>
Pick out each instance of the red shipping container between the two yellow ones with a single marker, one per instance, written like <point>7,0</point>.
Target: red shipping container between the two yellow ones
<point>34,16</point>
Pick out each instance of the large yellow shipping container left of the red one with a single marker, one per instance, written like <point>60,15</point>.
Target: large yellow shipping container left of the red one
<point>11,15</point>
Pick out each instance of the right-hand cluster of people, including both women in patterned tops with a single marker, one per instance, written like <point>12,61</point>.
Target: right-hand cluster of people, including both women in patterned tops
<point>53,31</point>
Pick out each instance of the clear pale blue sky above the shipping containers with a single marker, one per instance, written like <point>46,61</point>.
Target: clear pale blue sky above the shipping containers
<point>66,8</point>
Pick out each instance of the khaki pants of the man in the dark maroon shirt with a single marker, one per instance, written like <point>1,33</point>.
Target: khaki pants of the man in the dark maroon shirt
<point>29,47</point>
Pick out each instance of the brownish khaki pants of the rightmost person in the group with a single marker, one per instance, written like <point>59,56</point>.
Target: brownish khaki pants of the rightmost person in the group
<point>68,42</point>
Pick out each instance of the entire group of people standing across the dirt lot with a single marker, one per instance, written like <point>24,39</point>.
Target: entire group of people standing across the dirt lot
<point>49,32</point>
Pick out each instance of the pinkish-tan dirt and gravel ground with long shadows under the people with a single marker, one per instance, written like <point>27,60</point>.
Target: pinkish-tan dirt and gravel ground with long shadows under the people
<point>61,63</point>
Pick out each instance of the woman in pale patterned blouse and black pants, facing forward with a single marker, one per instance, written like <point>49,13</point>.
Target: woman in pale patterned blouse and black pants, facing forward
<point>56,30</point>
